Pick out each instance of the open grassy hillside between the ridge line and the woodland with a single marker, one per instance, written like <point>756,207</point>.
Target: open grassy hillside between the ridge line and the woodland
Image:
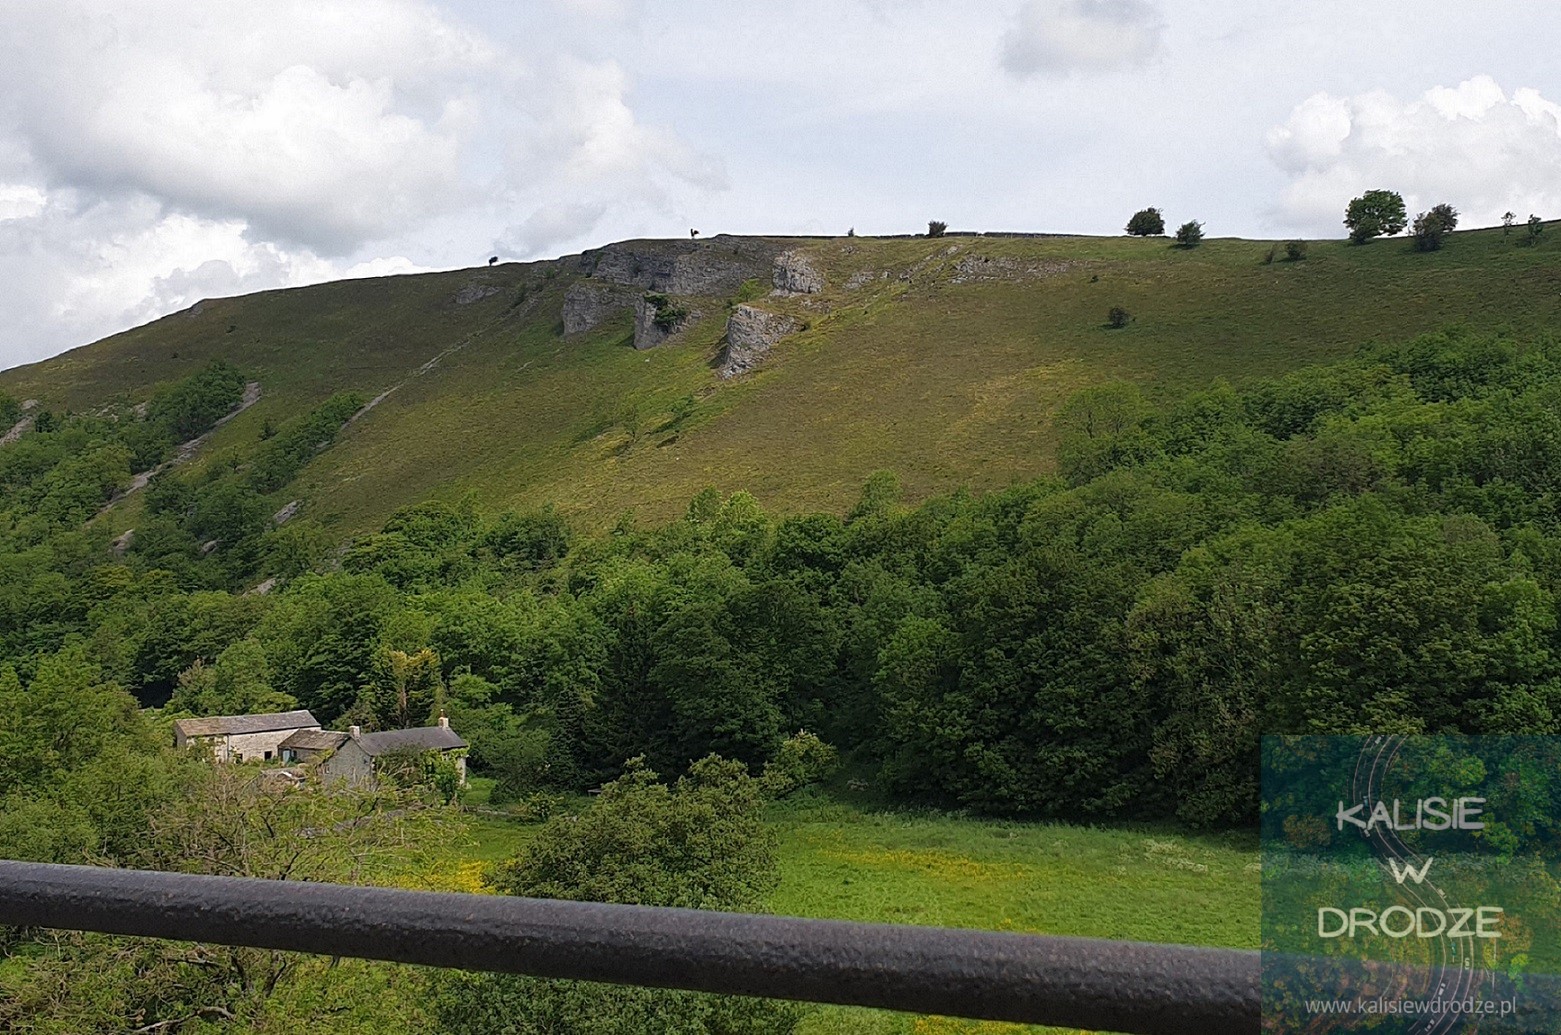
<point>947,383</point>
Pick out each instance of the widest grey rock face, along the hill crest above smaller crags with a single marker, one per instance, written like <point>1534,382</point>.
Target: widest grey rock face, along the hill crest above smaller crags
<point>683,268</point>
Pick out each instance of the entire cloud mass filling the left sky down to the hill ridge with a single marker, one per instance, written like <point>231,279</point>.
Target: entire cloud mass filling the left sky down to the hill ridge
<point>155,152</point>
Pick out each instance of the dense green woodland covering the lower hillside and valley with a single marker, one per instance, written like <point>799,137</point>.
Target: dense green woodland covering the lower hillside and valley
<point>1370,546</point>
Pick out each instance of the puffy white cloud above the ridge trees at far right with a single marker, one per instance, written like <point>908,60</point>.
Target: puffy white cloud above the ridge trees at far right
<point>1473,146</point>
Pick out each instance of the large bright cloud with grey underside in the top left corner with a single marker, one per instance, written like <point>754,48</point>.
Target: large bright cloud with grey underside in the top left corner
<point>316,124</point>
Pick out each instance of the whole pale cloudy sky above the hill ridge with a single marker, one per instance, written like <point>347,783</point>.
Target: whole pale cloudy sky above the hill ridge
<point>157,152</point>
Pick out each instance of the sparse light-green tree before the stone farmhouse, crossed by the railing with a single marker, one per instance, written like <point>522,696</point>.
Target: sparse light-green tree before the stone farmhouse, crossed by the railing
<point>222,822</point>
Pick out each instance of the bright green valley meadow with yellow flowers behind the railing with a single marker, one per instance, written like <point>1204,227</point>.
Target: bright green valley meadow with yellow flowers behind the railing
<point>845,862</point>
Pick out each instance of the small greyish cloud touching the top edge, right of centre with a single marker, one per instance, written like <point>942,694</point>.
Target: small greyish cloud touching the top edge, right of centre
<point>1062,37</point>
